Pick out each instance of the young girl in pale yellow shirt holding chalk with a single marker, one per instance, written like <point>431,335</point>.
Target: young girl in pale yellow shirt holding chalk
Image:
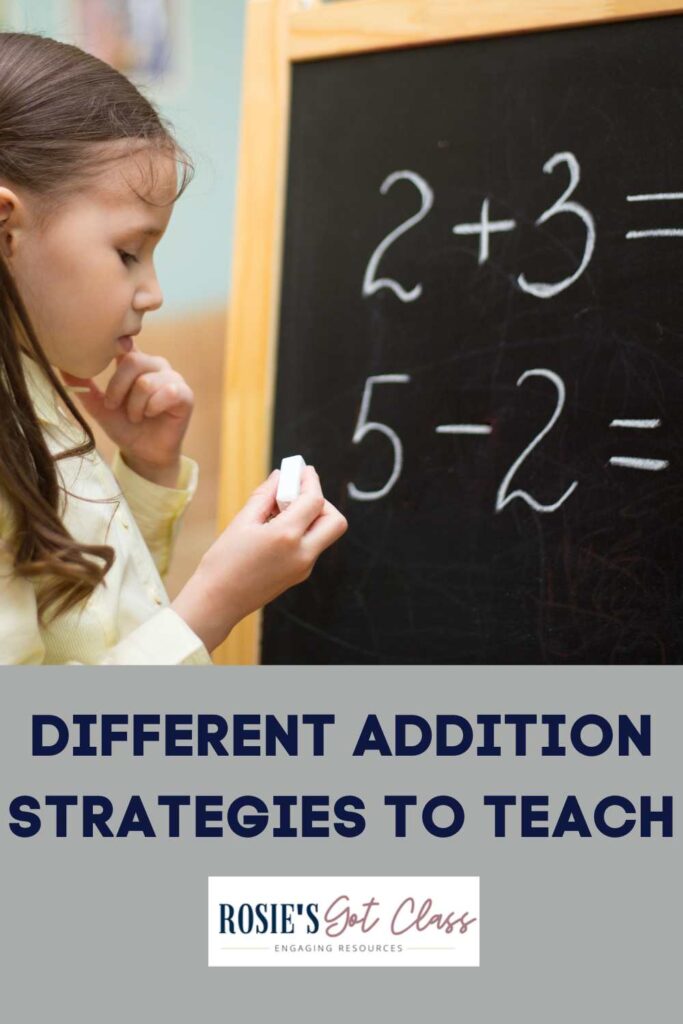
<point>88,185</point>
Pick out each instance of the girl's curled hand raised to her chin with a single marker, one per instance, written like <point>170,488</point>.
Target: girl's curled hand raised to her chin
<point>146,411</point>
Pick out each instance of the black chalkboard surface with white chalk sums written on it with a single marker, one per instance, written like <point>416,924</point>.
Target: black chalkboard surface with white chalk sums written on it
<point>481,350</point>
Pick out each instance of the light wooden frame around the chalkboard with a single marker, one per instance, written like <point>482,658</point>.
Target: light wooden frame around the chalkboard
<point>280,33</point>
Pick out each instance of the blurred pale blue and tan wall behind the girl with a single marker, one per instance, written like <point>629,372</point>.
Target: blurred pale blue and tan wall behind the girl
<point>187,58</point>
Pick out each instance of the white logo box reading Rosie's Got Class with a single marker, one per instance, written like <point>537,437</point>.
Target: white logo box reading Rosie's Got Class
<point>374,921</point>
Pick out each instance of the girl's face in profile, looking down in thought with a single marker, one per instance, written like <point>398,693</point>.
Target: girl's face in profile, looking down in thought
<point>88,278</point>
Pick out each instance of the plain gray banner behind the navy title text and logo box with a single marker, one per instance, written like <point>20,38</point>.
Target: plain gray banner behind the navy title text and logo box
<point>115,929</point>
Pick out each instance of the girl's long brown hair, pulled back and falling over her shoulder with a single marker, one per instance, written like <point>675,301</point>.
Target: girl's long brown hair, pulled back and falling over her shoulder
<point>58,107</point>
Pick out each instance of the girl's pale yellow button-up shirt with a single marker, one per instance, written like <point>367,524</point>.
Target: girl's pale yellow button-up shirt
<point>127,620</point>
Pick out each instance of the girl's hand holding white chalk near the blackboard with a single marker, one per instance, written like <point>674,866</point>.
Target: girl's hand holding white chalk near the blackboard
<point>261,554</point>
